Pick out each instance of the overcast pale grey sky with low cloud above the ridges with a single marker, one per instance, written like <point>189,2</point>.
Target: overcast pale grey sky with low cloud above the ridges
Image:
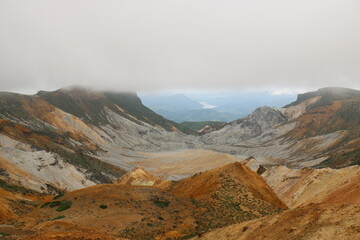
<point>149,45</point>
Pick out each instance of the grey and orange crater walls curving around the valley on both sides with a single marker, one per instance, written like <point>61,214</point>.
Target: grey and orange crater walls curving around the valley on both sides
<point>97,136</point>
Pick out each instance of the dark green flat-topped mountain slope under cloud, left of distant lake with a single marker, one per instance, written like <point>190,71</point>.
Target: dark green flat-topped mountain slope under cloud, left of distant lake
<point>90,106</point>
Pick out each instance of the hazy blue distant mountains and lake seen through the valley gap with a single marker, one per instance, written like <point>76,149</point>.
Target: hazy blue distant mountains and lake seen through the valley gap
<point>210,106</point>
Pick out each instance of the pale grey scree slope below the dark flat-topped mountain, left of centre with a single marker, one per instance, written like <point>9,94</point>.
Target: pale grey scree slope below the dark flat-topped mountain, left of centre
<point>125,144</point>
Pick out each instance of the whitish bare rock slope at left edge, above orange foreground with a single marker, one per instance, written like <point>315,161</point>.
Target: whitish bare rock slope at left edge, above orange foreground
<point>43,167</point>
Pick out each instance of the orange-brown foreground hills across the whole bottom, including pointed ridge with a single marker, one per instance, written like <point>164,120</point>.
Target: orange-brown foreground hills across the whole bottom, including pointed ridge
<point>229,202</point>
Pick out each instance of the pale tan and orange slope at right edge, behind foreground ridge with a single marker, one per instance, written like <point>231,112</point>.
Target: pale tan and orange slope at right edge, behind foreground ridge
<point>299,187</point>
